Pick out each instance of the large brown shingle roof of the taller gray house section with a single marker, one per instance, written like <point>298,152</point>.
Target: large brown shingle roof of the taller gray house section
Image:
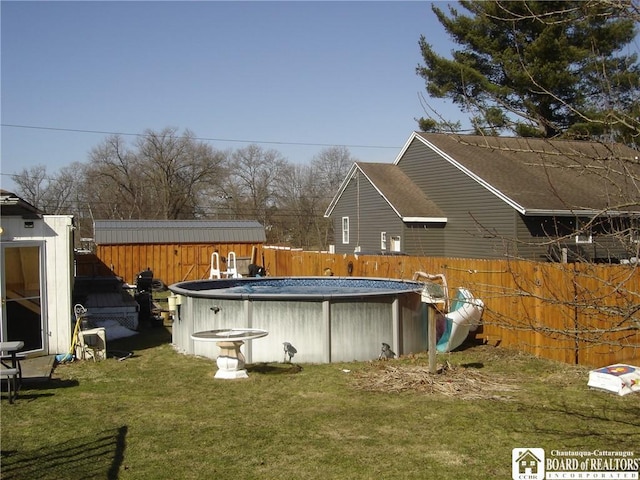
<point>544,177</point>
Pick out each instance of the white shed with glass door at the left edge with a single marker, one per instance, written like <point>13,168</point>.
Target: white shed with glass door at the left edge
<point>37,276</point>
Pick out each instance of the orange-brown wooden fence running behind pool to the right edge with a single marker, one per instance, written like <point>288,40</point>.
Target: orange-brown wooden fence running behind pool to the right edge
<point>576,313</point>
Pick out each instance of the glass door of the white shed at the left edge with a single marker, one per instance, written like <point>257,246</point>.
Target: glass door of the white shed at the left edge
<point>22,317</point>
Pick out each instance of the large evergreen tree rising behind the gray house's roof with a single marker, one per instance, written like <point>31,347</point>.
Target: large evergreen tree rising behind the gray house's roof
<point>539,68</point>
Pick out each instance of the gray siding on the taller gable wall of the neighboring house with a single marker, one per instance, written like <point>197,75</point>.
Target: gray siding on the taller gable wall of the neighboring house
<point>470,209</point>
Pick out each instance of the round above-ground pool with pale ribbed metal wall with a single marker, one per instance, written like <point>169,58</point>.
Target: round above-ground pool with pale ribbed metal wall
<point>326,319</point>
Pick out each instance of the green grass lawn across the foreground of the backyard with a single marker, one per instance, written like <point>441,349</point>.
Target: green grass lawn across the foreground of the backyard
<point>161,415</point>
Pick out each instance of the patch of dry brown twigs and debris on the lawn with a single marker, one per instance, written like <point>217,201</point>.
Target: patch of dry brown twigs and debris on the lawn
<point>450,380</point>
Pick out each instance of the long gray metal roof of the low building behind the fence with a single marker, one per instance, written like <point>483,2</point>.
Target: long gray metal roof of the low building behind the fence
<point>119,232</point>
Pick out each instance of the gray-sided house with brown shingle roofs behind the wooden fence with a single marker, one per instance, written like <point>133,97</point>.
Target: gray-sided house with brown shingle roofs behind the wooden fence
<point>490,197</point>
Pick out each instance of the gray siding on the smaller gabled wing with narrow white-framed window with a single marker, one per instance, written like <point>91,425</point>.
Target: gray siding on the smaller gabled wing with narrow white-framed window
<point>369,215</point>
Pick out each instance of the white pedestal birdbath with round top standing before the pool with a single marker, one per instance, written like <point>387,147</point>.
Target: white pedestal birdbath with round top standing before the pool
<point>231,360</point>
